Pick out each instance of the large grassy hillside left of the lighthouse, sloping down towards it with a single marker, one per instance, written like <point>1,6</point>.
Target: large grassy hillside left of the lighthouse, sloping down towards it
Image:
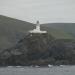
<point>11,30</point>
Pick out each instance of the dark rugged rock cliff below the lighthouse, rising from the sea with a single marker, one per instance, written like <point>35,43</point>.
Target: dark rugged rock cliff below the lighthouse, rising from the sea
<point>40,49</point>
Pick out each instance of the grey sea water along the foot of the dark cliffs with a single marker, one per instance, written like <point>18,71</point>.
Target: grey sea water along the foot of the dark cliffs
<point>26,70</point>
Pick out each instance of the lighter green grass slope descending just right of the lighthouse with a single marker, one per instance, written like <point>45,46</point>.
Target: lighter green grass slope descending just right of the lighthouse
<point>58,33</point>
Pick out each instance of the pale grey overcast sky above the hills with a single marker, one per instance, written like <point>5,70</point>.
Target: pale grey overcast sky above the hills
<point>46,11</point>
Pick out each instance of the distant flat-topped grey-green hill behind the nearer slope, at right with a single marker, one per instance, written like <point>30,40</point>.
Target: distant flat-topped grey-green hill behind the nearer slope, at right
<point>68,28</point>
